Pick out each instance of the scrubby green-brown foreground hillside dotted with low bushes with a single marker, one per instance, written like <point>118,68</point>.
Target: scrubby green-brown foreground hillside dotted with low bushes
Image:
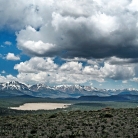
<point>105,123</point>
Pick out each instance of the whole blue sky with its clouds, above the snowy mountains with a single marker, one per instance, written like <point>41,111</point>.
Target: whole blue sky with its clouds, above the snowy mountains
<point>86,42</point>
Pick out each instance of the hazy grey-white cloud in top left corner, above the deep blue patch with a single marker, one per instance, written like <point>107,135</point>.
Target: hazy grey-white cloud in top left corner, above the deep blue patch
<point>22,13</point>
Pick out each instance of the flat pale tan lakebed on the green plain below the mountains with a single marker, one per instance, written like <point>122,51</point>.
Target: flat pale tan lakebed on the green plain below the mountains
<point>41,106</point>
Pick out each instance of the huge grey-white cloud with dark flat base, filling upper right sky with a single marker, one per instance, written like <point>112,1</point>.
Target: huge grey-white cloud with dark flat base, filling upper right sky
<point>95,29</point>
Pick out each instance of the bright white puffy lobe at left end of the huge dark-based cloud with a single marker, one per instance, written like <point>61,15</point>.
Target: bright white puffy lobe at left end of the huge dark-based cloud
<point>29,41</point>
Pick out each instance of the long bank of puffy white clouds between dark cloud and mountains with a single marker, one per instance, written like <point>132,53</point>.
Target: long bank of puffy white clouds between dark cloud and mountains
<point>45,70</point>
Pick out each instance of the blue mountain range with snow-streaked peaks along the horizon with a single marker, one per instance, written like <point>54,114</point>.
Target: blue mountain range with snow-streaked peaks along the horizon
<point>15,88</point>
